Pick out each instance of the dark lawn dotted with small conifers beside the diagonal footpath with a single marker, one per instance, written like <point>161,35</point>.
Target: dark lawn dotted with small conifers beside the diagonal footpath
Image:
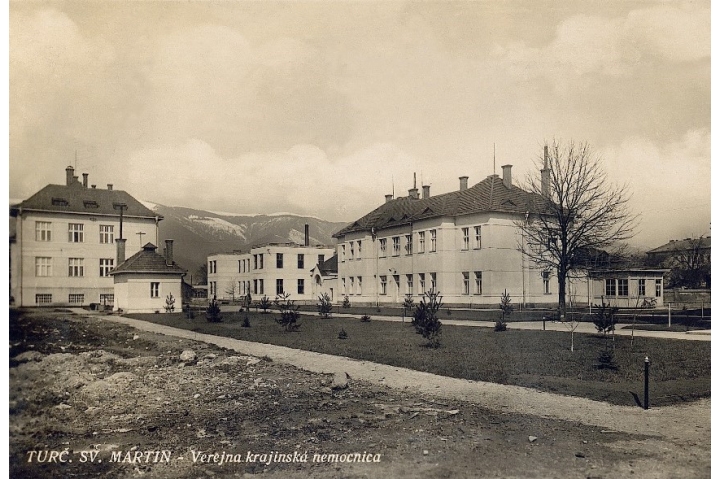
<point>680,370</point>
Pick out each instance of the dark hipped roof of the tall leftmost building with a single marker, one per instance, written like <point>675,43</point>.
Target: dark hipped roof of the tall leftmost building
<point>76,198</point>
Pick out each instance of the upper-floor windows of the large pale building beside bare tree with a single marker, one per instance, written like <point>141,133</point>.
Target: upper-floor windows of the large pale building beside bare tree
<point>407,247</point>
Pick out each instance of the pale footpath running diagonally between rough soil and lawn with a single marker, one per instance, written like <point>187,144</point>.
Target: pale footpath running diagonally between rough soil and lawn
<point>679,424</point>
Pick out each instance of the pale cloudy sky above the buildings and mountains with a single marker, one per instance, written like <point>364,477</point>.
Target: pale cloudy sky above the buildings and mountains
<point>321,108</point>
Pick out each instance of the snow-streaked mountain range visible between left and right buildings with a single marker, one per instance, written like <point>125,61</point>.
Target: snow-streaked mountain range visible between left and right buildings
<point>199,233</point>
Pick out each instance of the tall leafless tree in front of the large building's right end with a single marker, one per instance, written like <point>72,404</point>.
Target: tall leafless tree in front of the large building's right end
<point>578,210</point>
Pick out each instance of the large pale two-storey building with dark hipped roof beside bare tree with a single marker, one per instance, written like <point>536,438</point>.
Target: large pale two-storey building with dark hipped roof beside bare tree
<point>465,244</point>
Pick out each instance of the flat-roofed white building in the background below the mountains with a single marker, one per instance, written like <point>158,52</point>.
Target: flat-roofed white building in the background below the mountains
<point>266,270</point>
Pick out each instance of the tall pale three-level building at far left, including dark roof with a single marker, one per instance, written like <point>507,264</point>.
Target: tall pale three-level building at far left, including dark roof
<point>64,244</point>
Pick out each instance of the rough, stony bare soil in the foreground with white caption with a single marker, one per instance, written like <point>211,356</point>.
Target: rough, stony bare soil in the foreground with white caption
<point>83,384</point>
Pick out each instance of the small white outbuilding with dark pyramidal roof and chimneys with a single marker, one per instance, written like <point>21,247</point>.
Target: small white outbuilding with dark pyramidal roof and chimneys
<point>144,282</point>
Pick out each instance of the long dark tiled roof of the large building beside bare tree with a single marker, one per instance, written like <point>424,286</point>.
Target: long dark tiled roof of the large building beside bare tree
<point>491,194</point>
